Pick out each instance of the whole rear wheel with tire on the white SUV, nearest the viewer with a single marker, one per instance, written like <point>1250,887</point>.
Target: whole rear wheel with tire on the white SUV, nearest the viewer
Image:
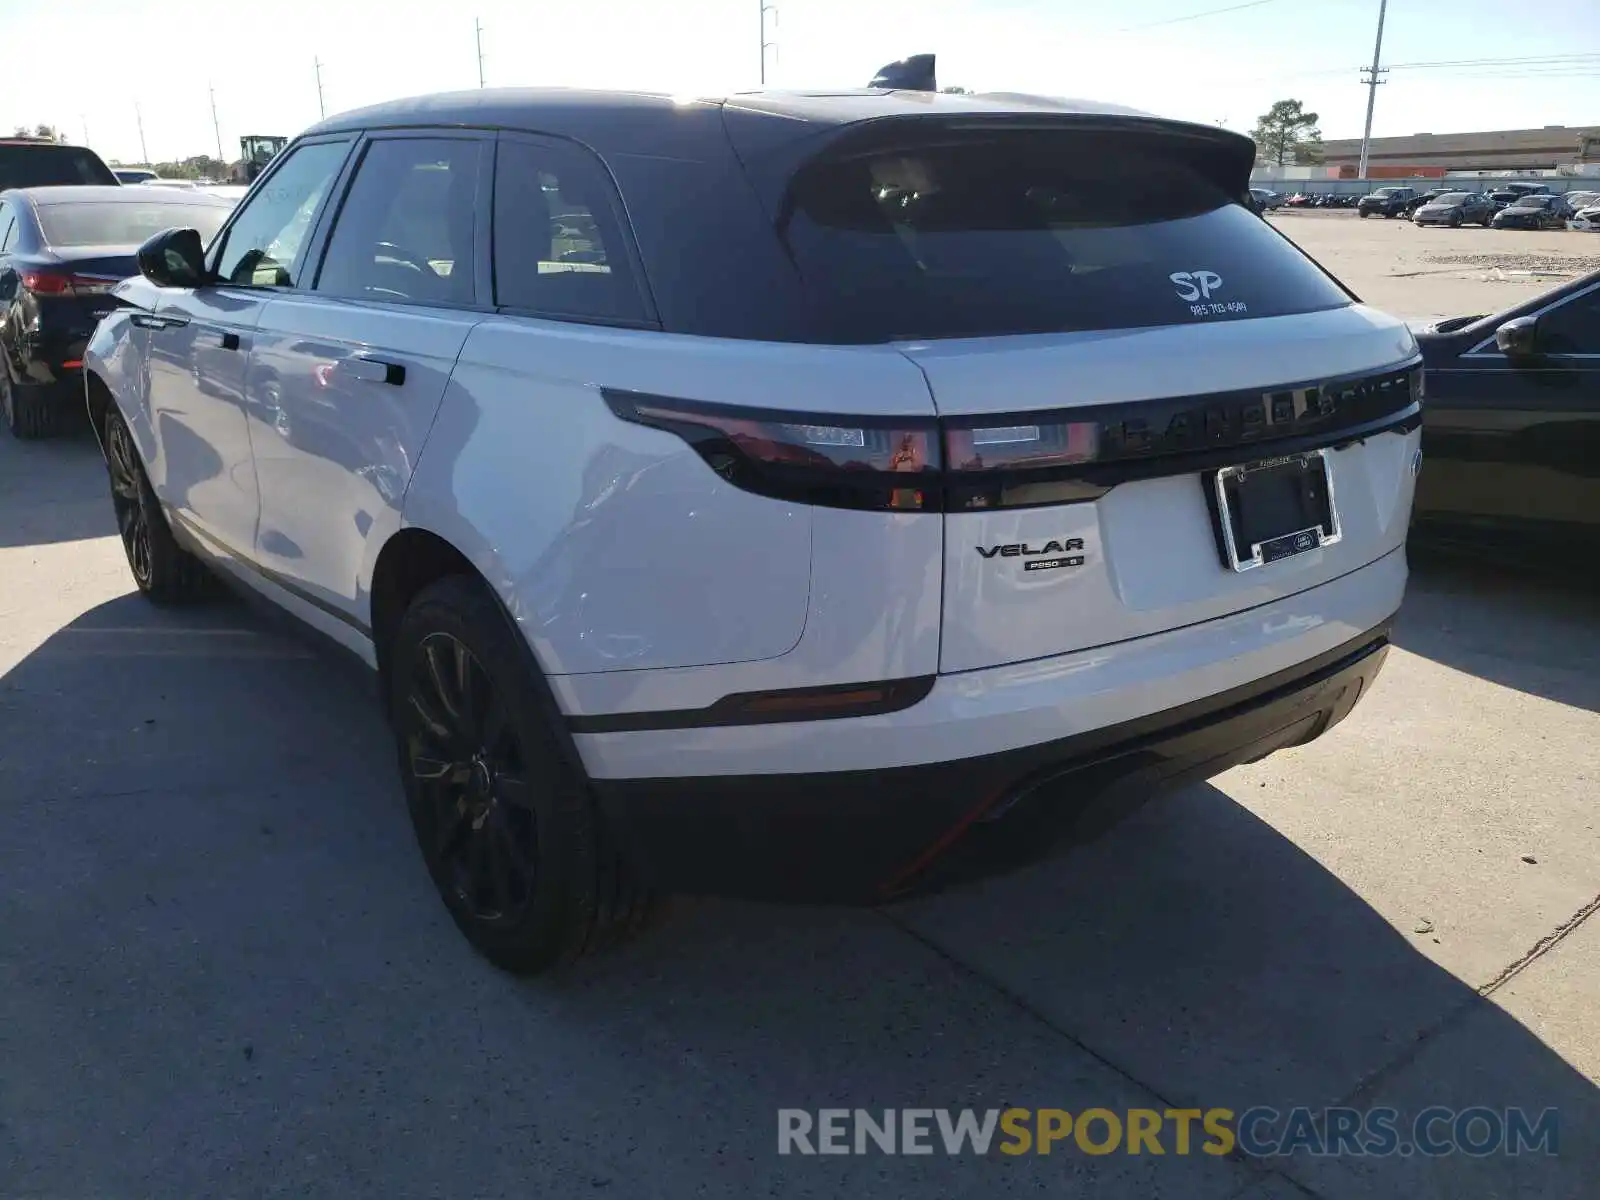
<point>505,820</point>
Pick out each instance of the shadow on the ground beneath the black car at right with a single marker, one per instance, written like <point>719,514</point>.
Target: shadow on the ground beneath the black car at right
<point>1527,633</point>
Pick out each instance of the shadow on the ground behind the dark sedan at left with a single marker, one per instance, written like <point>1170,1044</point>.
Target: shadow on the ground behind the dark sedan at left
<point>54,490</point>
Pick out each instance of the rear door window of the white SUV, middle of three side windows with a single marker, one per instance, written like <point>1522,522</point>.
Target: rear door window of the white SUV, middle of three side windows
<point>407,225</point>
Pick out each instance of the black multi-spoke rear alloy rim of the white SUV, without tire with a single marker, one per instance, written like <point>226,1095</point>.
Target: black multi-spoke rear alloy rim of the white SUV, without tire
<point>470,767</point>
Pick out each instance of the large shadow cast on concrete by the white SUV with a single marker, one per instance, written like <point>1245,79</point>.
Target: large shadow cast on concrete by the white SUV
<point>226,972</point>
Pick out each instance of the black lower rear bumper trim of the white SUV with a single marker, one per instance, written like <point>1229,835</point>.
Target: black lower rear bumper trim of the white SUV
<point>871,836</point>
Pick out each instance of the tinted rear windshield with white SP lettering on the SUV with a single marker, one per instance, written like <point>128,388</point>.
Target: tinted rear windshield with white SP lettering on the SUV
<point>1036,234</point>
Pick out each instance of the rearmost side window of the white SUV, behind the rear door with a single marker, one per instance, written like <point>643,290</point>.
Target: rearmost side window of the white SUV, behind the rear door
<point>558,244</point>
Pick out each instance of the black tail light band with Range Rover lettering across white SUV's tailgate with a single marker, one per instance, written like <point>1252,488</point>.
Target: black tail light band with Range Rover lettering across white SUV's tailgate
<point>1022,460</point>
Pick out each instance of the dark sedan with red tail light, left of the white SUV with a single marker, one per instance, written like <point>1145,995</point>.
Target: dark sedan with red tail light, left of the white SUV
<point>62,254</point>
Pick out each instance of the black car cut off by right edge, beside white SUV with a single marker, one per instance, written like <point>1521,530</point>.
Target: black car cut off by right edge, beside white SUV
<point>1511,431</point>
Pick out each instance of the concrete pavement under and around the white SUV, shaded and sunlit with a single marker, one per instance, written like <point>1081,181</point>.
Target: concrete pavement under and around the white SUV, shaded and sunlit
<point>223,970</point>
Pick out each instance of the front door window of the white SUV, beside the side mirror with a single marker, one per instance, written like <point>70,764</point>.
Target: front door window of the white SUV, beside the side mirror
<point>263,246</point>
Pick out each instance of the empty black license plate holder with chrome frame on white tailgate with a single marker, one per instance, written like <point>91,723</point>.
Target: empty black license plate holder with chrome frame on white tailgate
<point>1276,510</point>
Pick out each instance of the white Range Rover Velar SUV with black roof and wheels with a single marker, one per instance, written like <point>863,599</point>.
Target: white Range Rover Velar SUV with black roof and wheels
<point>818,495</point>
